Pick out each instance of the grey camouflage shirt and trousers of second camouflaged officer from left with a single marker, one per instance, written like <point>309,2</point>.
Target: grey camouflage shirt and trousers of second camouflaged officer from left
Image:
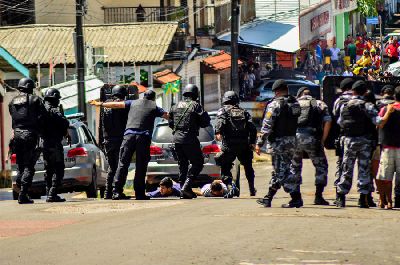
<point>309,141</point>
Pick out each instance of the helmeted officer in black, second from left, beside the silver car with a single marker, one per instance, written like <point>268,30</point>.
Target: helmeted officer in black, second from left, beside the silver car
<point>55,129</point>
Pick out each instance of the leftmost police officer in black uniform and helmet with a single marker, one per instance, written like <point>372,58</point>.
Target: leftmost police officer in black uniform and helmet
<point>27,111</point>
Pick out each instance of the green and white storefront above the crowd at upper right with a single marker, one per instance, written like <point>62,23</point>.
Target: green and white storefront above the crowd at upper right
<point>345,19</point>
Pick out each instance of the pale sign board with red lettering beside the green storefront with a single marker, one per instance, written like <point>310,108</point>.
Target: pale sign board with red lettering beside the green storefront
<point>315,22</point>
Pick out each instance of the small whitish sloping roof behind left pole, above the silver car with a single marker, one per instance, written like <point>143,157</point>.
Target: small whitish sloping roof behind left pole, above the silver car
<point>69,91</point>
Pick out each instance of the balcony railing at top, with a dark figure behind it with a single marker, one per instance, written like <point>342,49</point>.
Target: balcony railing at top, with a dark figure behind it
<point>142,14</point>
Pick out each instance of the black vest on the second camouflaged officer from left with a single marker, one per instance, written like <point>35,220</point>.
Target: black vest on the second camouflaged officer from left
<point>310,115</point>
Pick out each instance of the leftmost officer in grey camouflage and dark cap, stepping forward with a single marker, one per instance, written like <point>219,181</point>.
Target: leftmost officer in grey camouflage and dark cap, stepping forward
<point>279,128</point>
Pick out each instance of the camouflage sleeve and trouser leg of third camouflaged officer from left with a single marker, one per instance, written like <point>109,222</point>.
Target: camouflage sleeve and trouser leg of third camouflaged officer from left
<point>345,97</point>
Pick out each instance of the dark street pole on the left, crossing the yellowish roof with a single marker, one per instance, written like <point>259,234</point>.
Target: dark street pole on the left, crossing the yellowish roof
<point>80,58</point>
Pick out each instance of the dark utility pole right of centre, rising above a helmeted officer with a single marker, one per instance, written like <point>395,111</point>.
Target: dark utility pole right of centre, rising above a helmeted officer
<point>235,11</point>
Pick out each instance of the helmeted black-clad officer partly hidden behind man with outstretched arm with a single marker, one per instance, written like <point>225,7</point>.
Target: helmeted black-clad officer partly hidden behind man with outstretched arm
<point>113,126</point>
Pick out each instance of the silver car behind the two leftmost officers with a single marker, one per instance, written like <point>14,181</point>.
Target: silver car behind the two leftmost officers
<point>85,165</point>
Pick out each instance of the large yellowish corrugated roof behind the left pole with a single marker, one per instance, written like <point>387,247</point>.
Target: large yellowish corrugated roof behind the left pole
<point>136,42</point>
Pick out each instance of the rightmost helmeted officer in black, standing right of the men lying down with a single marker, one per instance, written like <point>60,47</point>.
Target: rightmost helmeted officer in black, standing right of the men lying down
<point>234,127</point>
